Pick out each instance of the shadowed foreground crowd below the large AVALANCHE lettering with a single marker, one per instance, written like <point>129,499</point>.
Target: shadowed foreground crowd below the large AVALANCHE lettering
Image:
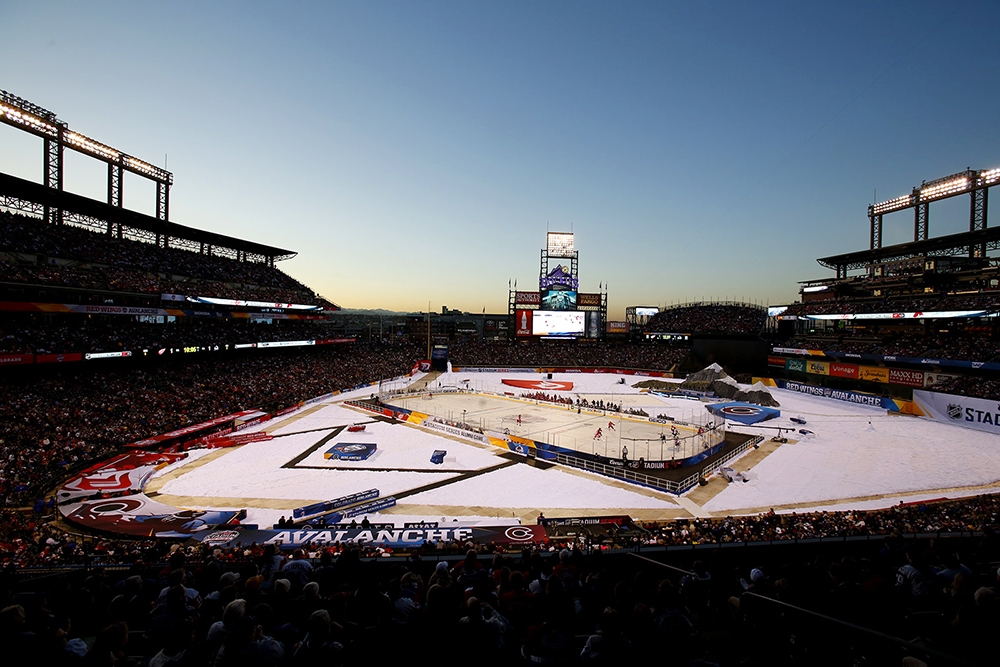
<point>563,603</point>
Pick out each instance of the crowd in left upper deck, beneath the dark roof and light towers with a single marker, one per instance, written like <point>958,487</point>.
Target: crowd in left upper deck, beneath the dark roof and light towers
<point>68,256</point>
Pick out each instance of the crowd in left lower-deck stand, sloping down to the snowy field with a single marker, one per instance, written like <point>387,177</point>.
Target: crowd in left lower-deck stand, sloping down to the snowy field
<point>56,424</point>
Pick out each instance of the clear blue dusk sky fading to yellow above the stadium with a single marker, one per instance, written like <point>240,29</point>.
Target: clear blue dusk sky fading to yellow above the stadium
<point>416,152</point>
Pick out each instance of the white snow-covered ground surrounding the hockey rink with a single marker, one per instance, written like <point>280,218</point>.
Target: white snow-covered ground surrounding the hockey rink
<point>856,452</point>
